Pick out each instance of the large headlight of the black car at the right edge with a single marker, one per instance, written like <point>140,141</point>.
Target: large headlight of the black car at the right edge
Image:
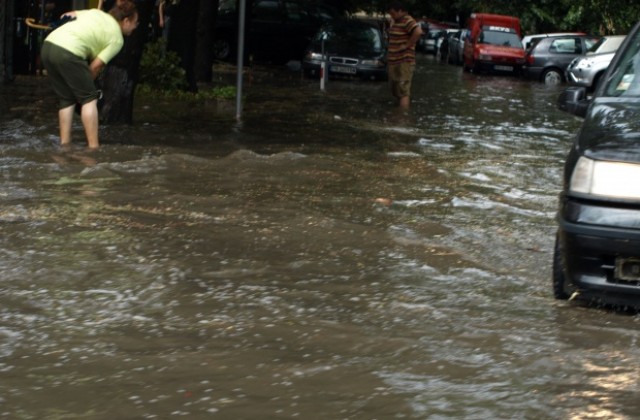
<point>606,179</point>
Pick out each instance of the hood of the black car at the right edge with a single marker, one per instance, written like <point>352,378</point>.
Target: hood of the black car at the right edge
<point>611,130</point>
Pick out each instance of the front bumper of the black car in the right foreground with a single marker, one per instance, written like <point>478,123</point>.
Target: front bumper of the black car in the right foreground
<point>601,251</point>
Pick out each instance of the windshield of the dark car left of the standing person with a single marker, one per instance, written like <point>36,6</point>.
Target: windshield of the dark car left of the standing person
<point>355,37</point>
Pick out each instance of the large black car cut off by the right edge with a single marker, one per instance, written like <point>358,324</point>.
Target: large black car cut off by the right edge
<point>597,251</point>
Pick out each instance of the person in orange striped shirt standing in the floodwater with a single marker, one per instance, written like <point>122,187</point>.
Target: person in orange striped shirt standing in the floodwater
<point>404,33</point>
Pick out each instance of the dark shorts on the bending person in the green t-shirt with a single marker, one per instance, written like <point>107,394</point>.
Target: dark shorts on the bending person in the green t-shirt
<point>69,75</point>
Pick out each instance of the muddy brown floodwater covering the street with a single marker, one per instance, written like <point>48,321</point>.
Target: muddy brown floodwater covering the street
<point>327,257</point>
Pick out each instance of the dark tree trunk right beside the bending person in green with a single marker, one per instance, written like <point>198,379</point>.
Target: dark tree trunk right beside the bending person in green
<point>120,78</point>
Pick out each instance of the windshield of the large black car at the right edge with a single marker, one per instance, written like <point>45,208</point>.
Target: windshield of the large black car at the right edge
<point>625,76</point>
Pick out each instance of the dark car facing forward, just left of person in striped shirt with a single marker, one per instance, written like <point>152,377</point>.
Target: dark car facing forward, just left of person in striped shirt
<point>351,48</point>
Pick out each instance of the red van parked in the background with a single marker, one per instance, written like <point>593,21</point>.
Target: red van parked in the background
<point>493,44</point>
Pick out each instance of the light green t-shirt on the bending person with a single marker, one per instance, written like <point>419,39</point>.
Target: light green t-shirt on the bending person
<point>93,34</point>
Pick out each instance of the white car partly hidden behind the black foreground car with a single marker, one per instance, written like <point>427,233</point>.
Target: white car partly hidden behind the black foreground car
<point>587,70</point>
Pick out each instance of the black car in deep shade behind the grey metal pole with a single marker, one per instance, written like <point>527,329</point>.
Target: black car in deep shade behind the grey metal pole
<point>276,31</point>
